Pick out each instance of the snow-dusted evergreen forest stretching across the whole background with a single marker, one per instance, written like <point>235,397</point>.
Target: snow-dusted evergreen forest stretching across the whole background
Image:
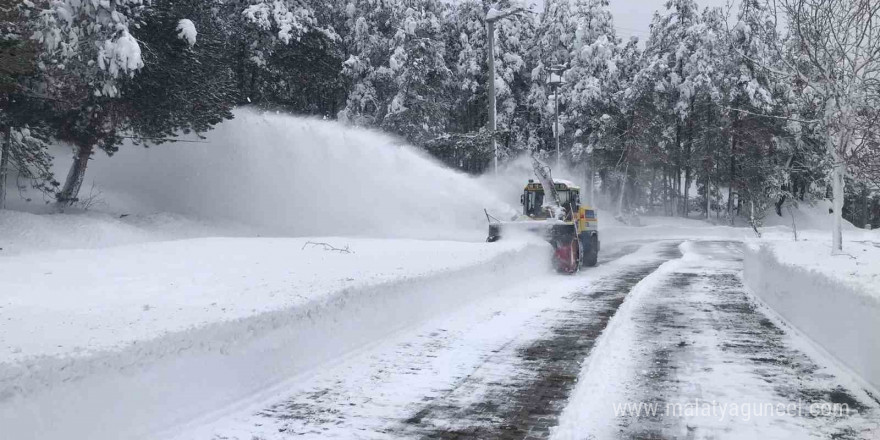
<point>711,114</point>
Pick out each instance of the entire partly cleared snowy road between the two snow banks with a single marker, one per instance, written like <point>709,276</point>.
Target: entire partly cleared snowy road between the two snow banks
<point>655,324</point>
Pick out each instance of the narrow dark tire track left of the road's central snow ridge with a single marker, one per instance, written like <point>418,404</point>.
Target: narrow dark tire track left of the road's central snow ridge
<point>542,372</point>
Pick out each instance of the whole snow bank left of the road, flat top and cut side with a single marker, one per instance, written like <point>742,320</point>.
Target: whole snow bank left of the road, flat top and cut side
<point>129,341</point>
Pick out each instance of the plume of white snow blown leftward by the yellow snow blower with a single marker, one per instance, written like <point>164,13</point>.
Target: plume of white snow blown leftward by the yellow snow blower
<point>293,176</point>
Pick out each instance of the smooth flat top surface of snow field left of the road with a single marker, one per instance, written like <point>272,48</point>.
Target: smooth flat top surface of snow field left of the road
<point>84,301</point>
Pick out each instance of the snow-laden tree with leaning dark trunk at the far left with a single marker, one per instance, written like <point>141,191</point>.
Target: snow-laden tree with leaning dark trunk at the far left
<point>86,48</point>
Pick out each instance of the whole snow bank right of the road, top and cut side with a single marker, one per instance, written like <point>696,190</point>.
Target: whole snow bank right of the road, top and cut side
<point>833,300</point>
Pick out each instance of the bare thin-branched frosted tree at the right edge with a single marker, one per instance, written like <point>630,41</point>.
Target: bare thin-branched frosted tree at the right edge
<point>833,55</point>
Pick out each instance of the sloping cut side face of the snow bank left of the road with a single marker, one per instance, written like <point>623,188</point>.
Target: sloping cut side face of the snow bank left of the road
<point>150,389</point>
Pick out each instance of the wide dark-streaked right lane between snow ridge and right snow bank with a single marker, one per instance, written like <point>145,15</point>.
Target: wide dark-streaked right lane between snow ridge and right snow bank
<point>703,339</point>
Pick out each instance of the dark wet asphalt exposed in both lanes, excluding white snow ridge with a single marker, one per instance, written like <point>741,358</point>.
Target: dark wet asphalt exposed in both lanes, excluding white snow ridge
<point>698,322</point>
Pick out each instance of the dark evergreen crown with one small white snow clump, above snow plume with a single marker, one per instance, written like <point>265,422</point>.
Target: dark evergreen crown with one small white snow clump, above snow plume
<point>187,81</point>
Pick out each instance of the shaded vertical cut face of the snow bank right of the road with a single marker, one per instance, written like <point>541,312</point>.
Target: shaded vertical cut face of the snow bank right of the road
<point>841,319</point>
